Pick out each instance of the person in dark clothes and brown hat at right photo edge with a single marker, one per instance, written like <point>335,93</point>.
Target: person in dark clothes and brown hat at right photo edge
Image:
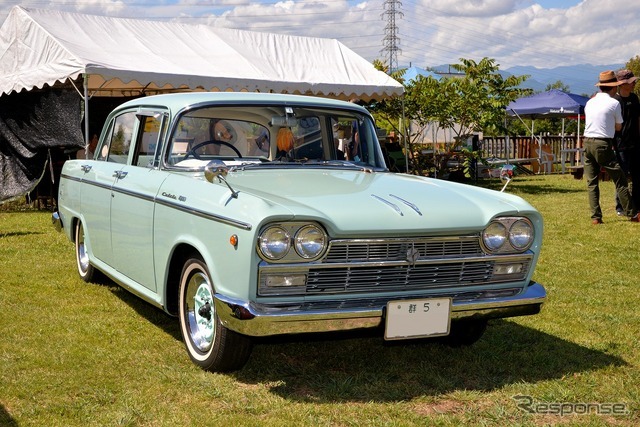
<point>627,140</point>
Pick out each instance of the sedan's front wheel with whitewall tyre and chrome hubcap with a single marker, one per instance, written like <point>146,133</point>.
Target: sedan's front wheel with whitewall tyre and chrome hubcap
<point>210,345</point>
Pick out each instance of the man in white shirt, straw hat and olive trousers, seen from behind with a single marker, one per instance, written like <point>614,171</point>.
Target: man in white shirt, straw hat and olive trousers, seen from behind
<point>603,117</point>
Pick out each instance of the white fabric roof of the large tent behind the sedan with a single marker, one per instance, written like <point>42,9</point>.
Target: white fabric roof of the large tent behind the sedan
<point>127,57</point>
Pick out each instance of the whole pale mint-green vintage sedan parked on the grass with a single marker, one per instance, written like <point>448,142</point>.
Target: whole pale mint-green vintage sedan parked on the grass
<point>250,215</point>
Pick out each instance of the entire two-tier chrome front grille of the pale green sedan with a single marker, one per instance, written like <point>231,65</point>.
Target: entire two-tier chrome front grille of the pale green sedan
<point>401,265</point>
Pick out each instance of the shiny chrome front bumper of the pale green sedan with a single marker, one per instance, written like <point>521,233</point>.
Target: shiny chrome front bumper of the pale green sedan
<point>262,320</point>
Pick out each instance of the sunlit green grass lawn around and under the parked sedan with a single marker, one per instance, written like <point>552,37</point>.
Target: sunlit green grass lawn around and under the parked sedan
<point>76,354</point>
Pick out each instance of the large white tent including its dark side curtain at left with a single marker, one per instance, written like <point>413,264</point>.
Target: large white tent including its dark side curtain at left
<point>106,57</point>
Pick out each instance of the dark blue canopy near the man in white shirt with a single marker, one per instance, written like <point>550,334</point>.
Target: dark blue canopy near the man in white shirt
<point>550,104</point>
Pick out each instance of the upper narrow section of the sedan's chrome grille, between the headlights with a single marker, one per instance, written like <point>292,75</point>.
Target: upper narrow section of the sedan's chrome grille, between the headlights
<point>396,249</point>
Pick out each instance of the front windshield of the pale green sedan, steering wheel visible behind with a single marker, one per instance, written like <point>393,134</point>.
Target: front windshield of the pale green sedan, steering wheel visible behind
<point>278,135</point>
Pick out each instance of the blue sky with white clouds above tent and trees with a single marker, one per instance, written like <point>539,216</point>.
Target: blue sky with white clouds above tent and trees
<point>429,33</point>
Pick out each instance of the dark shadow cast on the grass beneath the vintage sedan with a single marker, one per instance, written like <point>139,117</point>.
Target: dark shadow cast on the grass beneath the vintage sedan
<point>362,367</point>
